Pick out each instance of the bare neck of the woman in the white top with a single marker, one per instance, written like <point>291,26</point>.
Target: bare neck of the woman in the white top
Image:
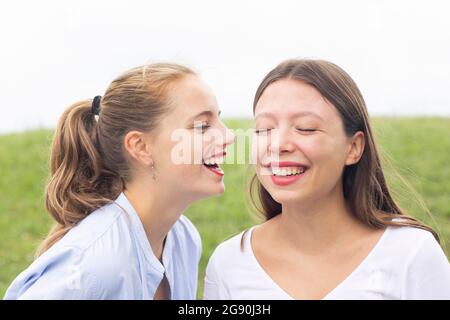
<point>319,224</point>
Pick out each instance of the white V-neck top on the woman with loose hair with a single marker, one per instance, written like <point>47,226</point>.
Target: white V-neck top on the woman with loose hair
<point>406,263</point>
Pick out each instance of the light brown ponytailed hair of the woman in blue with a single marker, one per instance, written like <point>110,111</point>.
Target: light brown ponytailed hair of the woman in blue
<point>88,165</point>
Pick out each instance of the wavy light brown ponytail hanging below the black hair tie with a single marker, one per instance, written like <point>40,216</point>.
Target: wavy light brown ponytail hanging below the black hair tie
<point>79,182</point>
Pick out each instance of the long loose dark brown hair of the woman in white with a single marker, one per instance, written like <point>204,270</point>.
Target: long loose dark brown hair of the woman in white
<point>364,185</point>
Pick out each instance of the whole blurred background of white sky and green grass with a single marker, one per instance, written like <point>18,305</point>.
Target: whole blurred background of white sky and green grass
<point>54,53</point>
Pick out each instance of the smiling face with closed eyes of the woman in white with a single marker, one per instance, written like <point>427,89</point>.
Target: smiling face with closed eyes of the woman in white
<point>301,145</point>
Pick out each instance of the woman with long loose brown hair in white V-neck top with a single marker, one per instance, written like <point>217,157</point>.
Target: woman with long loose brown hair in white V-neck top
<point>332,229</point>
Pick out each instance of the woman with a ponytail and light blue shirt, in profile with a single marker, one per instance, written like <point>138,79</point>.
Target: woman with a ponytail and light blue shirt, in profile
<point>117,194</point>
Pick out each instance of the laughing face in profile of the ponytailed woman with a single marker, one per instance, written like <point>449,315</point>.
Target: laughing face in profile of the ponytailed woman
<point>190,136</point>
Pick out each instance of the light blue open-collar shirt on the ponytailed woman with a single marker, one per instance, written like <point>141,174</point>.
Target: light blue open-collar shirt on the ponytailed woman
<point>108,256</point>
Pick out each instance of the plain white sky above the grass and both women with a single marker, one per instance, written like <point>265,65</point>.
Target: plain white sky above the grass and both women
<point>54,53</point>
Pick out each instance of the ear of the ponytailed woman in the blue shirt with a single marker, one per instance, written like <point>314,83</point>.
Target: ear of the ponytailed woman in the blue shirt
<point>137,146</point>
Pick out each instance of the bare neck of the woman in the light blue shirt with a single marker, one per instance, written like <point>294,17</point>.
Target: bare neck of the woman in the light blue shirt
<point>157,209</point>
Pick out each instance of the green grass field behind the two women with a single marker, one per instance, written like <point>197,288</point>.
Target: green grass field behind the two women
<point>419,149</point>
